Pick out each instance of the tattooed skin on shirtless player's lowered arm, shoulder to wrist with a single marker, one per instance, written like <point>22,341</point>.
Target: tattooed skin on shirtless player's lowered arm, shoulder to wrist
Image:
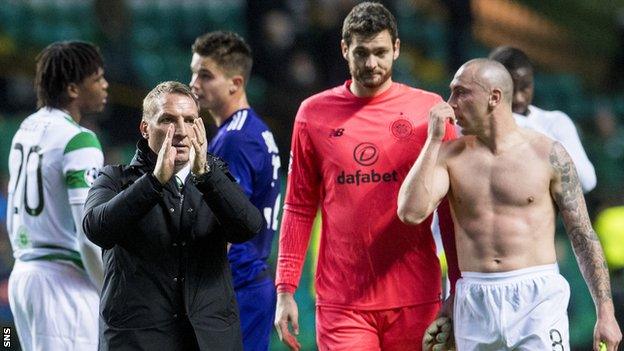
<point>571,203</point>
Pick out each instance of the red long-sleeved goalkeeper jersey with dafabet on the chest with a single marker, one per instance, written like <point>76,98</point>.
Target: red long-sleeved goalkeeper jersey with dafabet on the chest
<point>350,155</point>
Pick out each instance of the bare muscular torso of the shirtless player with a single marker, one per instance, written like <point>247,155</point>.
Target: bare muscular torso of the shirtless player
<point>502,206</point>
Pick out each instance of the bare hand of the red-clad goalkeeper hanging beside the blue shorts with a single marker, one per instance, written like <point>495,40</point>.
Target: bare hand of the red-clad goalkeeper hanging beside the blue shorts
<point>286,313</point>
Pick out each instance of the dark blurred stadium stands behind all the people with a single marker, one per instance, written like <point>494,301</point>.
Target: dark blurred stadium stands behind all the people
<point>577,47</point>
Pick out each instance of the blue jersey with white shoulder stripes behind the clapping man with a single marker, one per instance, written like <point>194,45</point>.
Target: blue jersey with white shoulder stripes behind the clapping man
<point>245,142</point>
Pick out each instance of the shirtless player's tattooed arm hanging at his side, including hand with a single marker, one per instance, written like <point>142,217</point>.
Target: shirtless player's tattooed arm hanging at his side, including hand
<point>567,194</point>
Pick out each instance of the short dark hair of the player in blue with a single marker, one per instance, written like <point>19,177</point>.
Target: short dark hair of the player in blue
<point>228,49</point>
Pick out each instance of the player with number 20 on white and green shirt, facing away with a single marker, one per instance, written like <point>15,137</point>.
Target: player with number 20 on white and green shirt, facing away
<point>55,283</point>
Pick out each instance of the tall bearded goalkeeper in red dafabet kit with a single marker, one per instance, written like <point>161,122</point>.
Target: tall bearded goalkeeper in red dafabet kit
<point>377,280</point>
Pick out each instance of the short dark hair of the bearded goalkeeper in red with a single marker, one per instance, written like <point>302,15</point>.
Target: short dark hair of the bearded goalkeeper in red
<point>368,19</point>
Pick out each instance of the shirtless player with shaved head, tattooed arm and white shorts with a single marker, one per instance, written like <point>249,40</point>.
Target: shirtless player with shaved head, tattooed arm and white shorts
<point>505,185</point>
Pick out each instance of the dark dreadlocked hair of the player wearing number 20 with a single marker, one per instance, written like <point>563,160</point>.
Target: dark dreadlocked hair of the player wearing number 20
<point>63,63</point>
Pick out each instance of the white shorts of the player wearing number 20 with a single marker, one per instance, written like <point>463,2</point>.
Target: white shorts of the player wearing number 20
<point>54,305</point>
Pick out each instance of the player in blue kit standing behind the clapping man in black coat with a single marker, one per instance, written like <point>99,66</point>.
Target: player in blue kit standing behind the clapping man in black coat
<point>221,66</point>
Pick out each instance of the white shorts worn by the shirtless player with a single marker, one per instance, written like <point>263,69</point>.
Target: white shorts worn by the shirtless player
<point>524,309</point>
